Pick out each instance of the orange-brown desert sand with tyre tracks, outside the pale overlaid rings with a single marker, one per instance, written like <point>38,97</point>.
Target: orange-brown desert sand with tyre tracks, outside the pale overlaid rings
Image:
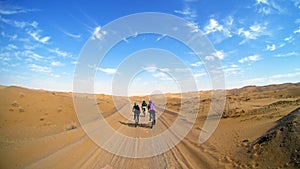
<point>259,129</point>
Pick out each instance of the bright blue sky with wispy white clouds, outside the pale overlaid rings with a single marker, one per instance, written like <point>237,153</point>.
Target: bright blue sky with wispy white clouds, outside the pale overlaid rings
<point>257,42</point>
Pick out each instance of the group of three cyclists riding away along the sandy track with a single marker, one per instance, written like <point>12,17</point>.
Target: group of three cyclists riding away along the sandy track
<point>145,107</point>
